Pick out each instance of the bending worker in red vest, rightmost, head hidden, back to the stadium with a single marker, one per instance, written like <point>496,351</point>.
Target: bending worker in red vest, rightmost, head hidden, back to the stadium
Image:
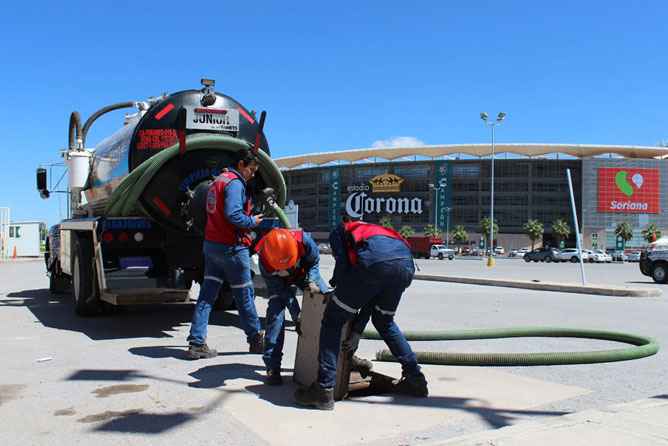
<point>374,265</point>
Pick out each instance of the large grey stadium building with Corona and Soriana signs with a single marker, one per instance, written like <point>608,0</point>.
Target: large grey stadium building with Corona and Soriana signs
<point>449,185</point>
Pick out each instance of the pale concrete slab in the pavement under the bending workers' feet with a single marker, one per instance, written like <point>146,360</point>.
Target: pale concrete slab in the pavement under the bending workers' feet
<point>456,394</point>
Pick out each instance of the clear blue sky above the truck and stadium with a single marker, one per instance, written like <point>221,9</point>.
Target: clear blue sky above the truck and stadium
<point>334,75</point>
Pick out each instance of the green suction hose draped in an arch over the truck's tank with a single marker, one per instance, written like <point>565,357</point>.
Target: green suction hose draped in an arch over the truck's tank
<point>125,196</point>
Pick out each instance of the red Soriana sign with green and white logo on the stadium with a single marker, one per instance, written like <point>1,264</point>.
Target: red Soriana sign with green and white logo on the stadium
<point>628,190</point>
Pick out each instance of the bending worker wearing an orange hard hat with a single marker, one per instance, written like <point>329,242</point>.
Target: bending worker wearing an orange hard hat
<point>287,258</point>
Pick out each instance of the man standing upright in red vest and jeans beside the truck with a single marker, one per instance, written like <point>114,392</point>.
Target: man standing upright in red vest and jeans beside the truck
<point>226,244</point>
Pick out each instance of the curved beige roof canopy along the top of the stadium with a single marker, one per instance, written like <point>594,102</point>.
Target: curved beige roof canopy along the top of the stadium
<point>474,150</point>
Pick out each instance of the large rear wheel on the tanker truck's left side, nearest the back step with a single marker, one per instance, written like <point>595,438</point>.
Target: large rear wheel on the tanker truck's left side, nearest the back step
<point>84,287</point>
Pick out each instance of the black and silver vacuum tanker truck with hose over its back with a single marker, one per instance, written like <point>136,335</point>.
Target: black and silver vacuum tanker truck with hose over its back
<point>135,225</point>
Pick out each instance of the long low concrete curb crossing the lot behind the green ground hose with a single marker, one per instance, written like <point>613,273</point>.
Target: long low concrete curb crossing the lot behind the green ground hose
<point>547,286</point>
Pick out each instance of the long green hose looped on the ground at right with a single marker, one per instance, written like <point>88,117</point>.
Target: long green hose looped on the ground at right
<point>644,346</point>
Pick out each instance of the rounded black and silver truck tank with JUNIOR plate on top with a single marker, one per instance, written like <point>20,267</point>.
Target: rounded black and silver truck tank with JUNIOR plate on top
<point>171,192</point>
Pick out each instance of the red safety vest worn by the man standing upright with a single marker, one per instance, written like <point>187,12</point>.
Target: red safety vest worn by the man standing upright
<point>218,228</point>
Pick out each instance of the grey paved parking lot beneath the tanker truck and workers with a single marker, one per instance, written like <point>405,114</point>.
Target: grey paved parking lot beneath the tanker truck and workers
<point>125,378</point>
